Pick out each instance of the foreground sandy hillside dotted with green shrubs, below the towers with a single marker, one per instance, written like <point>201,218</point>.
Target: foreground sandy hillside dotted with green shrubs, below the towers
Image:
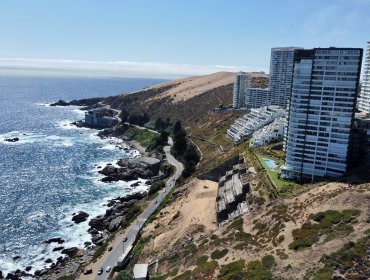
<point>296,236</point>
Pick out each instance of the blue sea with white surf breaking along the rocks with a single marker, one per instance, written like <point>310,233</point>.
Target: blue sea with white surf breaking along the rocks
<point>51,172</point>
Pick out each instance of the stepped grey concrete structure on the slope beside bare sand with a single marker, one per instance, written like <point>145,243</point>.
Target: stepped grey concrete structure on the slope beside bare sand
<point>231,196</point>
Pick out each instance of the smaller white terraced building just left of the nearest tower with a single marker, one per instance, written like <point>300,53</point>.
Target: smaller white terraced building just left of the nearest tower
<point>273,131</point>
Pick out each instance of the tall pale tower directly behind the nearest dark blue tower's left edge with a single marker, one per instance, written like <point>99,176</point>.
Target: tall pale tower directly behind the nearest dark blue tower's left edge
<point>281,75</point>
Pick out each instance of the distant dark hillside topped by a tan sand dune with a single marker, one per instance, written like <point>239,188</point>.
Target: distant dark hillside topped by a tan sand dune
<point>187,99</point>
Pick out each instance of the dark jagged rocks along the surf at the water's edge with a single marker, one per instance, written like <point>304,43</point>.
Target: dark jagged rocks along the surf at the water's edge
<point>119,210</point>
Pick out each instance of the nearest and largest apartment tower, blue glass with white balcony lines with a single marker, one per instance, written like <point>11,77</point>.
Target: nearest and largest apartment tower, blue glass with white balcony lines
<point>321,112</point>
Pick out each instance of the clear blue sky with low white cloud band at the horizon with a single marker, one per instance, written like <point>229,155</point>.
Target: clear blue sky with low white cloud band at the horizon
<point>168,38</point>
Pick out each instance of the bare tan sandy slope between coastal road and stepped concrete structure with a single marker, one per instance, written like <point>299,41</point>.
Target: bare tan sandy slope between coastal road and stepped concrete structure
<point>194,213</point>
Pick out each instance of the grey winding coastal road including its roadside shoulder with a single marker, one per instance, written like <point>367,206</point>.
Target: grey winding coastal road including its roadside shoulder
<point>110,257</point>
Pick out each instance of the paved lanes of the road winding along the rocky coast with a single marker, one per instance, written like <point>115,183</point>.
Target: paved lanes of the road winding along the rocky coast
<point>133,230</point>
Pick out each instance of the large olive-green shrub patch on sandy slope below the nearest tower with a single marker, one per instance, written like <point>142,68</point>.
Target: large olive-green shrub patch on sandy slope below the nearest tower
<point>331,223</point>
